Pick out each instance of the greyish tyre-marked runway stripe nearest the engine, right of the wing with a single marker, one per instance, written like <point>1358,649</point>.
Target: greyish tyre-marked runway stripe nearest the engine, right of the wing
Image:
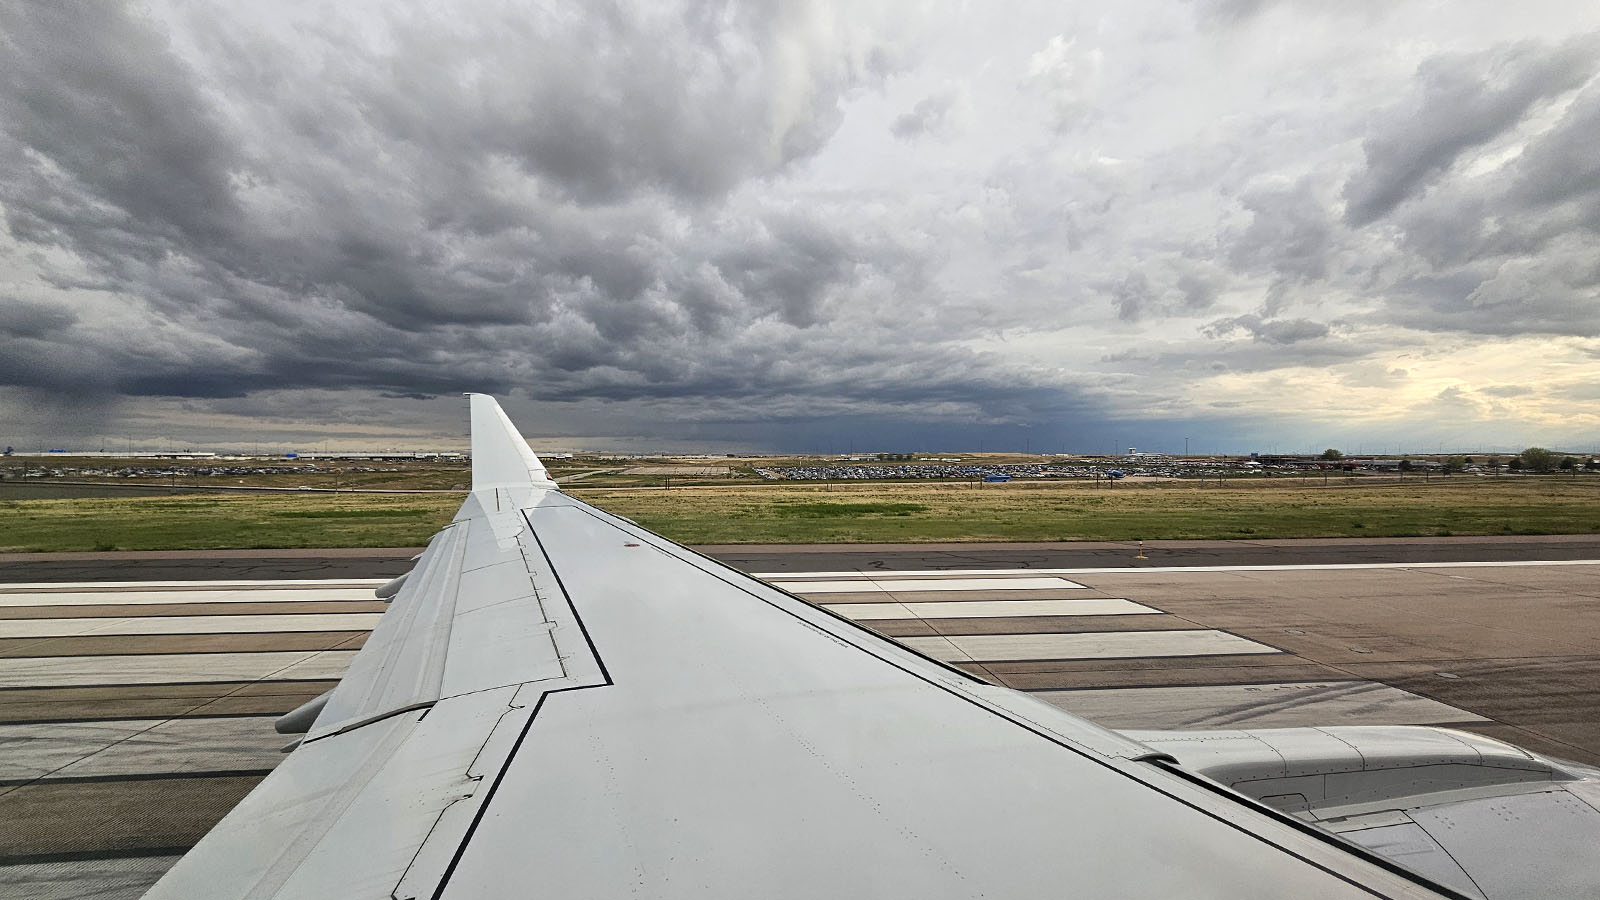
<point>1257,707</point>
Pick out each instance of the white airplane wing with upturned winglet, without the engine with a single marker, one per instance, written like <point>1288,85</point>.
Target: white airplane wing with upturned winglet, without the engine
<point>561,704</point>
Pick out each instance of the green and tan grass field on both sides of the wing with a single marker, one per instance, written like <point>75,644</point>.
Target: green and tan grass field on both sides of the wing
<point>841,515</point>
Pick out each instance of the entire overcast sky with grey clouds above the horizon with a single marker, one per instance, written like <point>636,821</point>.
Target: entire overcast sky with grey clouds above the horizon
<point>1065,227</point>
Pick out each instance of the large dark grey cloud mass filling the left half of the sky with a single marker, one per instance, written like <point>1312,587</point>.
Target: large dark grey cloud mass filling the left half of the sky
<point>514,185</point>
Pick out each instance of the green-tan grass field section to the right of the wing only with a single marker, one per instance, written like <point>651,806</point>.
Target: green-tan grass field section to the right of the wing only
<point>1058,513</point>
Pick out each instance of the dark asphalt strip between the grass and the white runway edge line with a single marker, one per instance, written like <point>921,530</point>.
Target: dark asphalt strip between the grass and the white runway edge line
<point>385,563</point>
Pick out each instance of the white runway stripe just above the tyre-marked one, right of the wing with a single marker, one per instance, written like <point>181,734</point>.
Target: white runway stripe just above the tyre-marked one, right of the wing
<point>1084,646</point>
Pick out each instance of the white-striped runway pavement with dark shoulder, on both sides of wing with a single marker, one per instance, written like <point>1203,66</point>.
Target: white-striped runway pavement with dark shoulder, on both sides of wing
<point>135,712</point>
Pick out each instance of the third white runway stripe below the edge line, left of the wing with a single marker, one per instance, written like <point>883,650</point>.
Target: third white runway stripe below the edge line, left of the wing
<point>159,669</point>
